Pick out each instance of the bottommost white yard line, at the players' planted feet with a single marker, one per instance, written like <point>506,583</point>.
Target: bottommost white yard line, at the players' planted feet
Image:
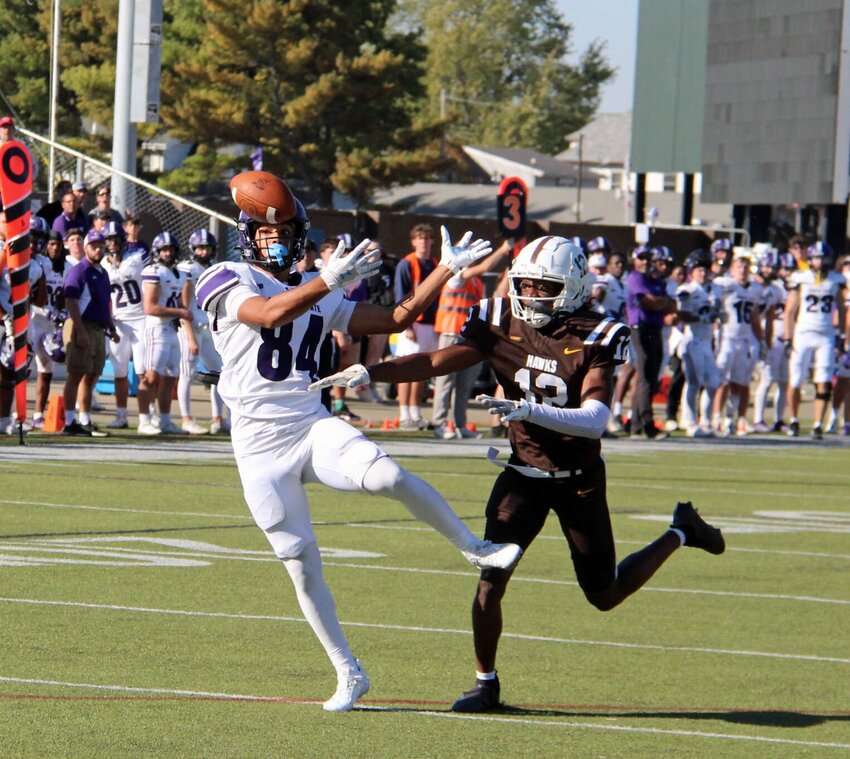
<point>487,718</point>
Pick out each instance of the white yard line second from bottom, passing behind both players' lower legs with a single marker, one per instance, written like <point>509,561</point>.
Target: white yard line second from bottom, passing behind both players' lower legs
<point>434,630</point>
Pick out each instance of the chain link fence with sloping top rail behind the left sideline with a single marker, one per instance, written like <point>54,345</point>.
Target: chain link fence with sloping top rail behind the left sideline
<point>158,209</point>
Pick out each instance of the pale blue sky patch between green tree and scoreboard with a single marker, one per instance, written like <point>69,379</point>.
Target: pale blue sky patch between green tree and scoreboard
<point>614,21</point>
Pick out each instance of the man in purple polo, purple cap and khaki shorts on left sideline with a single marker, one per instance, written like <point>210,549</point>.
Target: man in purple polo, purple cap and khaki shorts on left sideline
<point>87,298</point>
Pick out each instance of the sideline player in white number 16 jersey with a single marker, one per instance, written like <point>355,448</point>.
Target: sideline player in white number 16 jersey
<point>741,341</point>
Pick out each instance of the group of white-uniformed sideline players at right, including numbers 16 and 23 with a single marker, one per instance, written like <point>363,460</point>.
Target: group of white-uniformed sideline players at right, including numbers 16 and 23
<point>734,317</point>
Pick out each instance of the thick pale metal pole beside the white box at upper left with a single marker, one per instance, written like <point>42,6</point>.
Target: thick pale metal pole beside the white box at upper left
<point>123,132</point>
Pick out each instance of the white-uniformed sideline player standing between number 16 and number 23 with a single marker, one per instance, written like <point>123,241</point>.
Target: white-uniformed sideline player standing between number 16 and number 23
<point>774,268</point>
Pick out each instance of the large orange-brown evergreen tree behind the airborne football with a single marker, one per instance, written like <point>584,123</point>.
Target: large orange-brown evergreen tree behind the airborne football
<point>325,87</point>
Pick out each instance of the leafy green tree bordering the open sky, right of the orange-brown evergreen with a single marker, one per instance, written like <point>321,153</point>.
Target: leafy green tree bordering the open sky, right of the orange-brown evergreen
<point>501,65</point>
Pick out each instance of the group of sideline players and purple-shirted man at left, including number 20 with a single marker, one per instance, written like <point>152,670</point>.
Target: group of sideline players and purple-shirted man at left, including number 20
<point>101,294</point>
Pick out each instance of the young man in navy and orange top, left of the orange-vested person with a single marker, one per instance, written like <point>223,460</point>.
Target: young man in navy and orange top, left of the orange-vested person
<point>419,337</point>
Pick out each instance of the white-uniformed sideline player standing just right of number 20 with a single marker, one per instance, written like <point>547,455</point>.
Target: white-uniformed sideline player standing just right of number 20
<point>166,295</point>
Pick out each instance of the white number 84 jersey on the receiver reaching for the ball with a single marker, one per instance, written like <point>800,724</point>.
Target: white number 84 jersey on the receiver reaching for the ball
<point>266,372</point>
